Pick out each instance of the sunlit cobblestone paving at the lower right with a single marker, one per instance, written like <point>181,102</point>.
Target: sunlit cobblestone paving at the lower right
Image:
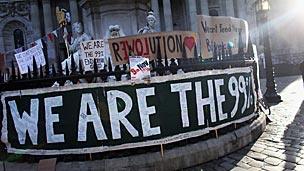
<point>281,146</point>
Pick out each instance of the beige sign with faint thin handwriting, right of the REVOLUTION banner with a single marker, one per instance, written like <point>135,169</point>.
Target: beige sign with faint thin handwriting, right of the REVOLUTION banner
<point>221,32</point>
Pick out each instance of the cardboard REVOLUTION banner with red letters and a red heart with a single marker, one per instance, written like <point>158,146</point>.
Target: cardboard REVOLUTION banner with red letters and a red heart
<point>175,44</point>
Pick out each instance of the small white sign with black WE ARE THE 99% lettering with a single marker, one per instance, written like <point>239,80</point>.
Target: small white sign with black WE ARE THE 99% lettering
<point>92,50</point>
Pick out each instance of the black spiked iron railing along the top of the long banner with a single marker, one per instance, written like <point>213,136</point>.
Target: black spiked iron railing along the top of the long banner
<point>47,75</point>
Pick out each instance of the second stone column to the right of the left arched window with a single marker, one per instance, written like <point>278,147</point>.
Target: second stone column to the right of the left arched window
<point>48,27</point>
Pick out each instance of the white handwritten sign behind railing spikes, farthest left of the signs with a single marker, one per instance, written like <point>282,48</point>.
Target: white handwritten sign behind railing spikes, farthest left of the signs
<point>25,59</point>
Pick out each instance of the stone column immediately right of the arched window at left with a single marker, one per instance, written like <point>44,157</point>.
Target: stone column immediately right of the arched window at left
<point>35,19</point>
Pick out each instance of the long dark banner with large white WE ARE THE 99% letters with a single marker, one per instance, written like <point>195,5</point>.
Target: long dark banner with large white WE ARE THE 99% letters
<point>89,118</point>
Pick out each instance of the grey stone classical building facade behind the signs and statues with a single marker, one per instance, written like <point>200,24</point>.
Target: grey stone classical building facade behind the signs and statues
<point>24,21</point>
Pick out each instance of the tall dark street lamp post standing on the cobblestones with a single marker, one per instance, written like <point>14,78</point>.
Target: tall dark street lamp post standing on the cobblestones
<point>271,94</point>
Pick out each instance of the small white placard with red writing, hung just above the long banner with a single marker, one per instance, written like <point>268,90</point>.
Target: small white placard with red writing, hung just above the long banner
<point>139,68</point>
